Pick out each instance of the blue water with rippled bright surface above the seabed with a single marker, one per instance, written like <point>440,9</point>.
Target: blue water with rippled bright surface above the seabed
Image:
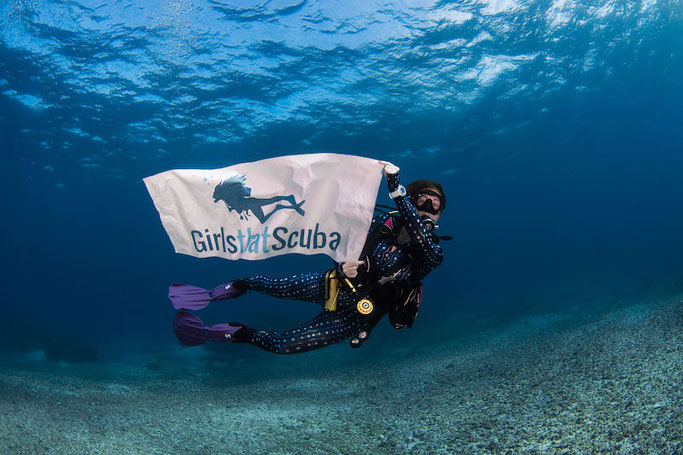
<point>554,127</point>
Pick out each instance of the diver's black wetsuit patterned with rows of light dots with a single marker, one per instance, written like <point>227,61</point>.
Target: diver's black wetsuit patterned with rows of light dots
<point>394,264</point>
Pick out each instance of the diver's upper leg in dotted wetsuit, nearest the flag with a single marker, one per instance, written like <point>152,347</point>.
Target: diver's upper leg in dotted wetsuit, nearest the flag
<point>309,287</point>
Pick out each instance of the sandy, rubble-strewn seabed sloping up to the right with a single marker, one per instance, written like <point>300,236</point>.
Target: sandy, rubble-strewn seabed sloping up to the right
<point>607,381</point>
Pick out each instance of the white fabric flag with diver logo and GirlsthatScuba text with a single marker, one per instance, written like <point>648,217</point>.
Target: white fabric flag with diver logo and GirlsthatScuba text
<point>309,204</point>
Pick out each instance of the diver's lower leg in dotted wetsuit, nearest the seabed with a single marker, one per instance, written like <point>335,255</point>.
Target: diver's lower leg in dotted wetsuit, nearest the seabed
<point>327,328</point>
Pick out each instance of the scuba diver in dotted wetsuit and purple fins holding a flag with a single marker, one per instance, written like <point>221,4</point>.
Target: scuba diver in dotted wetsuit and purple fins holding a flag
<point>400,250</point>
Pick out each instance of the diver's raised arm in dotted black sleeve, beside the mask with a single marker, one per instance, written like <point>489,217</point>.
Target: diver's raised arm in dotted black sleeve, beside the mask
<point>430,253</point>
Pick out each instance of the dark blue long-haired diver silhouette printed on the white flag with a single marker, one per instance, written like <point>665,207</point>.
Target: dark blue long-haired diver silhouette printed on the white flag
<point>237,196</point>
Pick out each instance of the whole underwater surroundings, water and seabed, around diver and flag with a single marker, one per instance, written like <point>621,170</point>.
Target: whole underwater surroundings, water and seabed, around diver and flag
<point>555,128</point>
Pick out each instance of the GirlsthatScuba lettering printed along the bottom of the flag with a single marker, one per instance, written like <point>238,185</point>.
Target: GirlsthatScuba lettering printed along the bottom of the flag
<point>256,242</point>
